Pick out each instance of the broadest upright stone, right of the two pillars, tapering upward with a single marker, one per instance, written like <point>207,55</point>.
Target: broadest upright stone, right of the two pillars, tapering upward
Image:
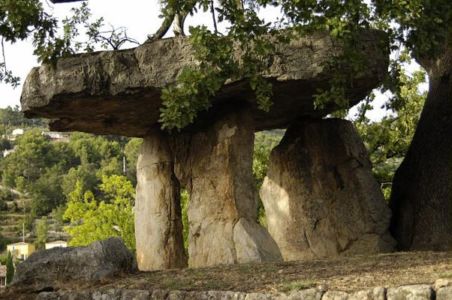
<point>320,197</point>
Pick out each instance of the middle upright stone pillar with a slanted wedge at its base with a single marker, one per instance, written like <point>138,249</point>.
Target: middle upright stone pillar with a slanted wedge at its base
<point>222,210</point>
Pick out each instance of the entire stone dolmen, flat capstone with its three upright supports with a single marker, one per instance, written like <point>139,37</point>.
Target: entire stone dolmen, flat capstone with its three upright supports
<point>320,197</point>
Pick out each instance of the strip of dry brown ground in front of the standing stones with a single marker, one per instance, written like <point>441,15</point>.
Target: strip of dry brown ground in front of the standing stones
<point>345,274</point>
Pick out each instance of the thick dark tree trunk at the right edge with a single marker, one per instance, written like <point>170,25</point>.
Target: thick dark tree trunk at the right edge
<point>421,197</point>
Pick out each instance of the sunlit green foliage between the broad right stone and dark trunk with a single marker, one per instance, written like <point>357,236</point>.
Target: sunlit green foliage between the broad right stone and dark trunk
<point>388,140</point>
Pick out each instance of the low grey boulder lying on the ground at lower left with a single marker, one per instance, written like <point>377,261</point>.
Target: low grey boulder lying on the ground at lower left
<point>52,268</point>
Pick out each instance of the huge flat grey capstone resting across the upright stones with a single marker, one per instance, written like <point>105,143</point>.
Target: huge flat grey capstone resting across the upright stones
<point>118,92</point>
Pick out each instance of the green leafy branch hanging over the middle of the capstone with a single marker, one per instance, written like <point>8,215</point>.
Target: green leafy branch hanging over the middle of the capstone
<point>218,62</point>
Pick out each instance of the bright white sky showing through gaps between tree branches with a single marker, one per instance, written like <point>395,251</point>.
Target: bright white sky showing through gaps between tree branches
<point>140,17</point>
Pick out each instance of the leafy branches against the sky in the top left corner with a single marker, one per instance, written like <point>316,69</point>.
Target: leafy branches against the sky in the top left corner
<point>22,19</point>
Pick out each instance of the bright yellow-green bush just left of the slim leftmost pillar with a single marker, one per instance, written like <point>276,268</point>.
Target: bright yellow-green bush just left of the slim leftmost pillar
<point>111,214</point>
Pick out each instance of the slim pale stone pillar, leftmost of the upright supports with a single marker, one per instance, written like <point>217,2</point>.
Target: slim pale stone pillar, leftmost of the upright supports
<point>158,222</point>
